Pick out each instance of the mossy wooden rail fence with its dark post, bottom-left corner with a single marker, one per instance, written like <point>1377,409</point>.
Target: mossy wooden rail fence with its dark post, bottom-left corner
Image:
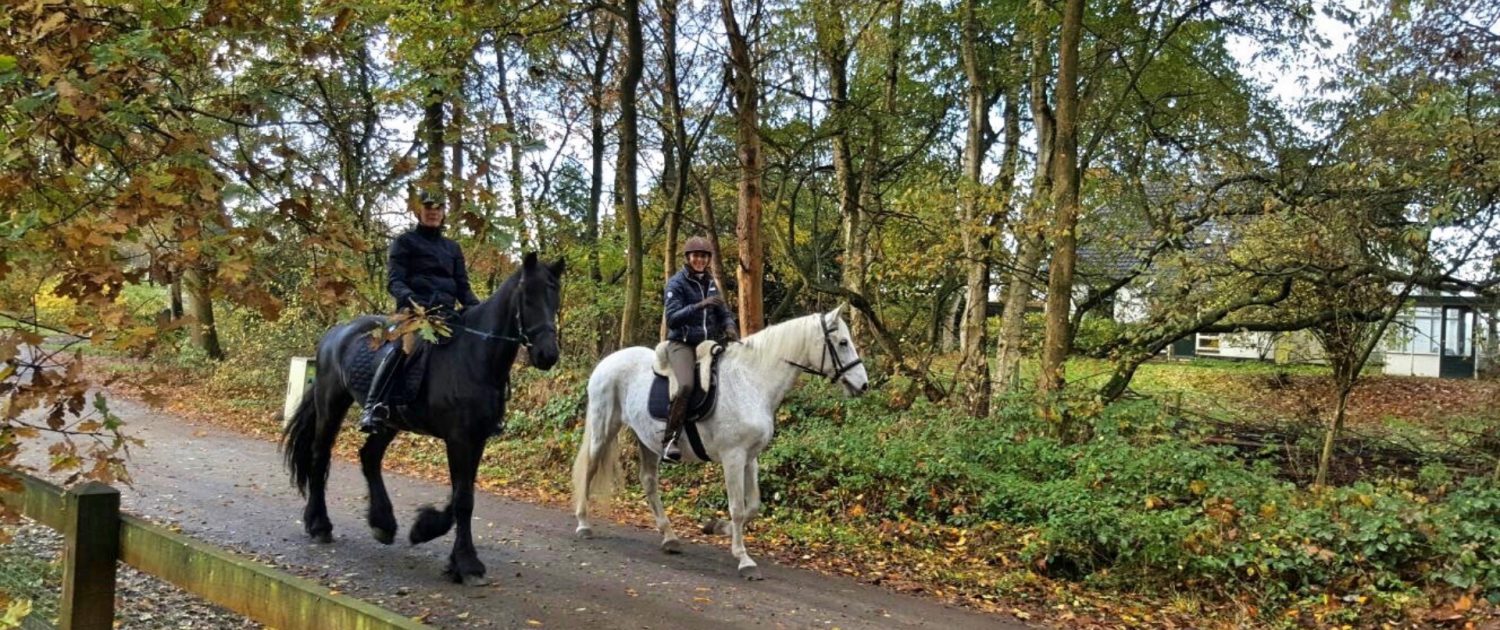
<point>97,535</point>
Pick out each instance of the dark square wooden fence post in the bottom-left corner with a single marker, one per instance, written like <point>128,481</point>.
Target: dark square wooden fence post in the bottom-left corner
<point>92,550</point>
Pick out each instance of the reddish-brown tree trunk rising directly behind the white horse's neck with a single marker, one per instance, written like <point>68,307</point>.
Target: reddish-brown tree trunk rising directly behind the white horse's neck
<point>748,230</point>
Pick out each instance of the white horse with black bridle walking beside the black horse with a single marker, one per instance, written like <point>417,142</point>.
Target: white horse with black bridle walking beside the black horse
<point>754,379</point>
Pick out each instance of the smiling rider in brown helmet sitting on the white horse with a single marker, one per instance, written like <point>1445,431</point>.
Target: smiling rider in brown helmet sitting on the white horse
<point>695,313</point>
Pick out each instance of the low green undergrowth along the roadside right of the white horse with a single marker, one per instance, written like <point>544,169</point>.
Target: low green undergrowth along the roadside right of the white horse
<point>1132,508</point>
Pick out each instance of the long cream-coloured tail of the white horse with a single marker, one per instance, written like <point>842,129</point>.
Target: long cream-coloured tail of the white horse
<point>598,472</point>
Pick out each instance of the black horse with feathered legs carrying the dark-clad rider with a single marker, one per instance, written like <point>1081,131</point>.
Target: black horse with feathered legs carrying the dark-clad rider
<point>464,397</point>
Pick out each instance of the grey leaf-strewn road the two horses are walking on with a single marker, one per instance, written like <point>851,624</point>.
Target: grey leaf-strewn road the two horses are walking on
<point>233,491</point>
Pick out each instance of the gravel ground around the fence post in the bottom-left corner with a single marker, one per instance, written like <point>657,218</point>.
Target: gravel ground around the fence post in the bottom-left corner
<point>32,565</point>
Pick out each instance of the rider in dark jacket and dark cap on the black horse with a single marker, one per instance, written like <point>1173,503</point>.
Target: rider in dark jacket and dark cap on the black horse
<point>425,269</point>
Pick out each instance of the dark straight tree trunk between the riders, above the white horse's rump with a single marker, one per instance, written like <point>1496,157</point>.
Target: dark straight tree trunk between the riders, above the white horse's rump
<point>629,139</point>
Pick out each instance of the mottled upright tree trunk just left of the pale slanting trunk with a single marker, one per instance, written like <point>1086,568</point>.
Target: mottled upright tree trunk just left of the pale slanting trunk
<point>974,364</point>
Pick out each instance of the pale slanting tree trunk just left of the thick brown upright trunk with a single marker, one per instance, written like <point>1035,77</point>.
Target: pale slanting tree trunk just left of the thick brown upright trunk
<point>1030,244</point>
